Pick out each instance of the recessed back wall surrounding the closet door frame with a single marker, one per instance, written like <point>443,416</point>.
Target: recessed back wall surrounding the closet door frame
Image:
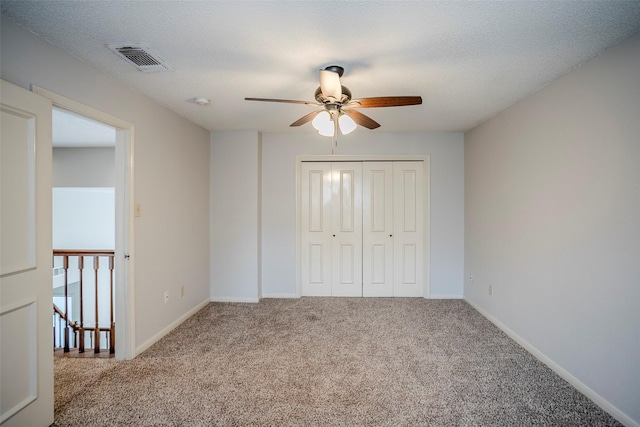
<point>279,201</point>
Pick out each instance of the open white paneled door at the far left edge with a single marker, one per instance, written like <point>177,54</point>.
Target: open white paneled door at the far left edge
<point>26,362</point>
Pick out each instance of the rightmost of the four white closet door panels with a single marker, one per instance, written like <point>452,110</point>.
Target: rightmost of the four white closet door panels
<point>408,227</point>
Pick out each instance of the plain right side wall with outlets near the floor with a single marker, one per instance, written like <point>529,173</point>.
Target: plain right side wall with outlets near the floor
<point>552,217</point>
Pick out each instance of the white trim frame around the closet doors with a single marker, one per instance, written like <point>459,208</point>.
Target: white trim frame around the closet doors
<point>425,158</point>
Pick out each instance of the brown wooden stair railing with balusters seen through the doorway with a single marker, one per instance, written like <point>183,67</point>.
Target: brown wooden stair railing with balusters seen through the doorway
<point>78,328</point>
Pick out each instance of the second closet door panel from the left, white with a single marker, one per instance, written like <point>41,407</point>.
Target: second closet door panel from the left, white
<point>346,229</point>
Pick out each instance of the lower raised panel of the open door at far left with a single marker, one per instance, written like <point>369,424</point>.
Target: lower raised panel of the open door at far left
<point>19,367</point>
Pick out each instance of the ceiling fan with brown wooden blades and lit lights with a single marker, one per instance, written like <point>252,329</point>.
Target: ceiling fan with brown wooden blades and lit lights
<point>338,110</point>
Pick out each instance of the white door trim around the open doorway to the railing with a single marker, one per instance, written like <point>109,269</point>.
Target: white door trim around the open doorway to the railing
<point>124,242</point>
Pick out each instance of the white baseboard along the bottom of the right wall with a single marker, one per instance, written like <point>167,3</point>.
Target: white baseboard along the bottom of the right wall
<point>564,374</point>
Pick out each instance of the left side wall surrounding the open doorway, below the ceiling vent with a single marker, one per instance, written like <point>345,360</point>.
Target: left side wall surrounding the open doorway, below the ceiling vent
<point>171,177</point>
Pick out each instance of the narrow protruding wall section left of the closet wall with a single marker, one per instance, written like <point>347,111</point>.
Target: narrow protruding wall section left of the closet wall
<point>235,216</point>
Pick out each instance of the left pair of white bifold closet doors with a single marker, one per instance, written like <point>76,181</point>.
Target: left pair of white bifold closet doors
<point>331,226</point>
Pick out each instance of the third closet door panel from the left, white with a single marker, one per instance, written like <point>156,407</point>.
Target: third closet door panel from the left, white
<point>377,222</point>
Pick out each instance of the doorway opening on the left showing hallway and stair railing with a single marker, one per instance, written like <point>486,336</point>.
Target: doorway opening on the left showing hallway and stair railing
<point>83,225</point>
